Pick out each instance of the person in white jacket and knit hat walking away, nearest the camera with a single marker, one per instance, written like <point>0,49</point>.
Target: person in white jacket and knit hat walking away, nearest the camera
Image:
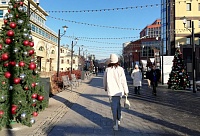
<point>115,83</point>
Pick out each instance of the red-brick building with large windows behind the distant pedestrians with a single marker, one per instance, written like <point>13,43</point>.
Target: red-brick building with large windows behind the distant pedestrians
<point>142,50</point>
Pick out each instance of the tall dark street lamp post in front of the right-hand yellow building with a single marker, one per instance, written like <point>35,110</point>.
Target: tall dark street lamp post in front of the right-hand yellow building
<point>193,52</point>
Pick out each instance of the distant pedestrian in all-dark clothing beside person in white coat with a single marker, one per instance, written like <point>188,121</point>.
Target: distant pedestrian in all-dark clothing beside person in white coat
<point>154,77</point>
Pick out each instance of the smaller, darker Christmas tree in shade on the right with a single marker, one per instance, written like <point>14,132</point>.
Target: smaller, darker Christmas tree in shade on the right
<point>178,78</point>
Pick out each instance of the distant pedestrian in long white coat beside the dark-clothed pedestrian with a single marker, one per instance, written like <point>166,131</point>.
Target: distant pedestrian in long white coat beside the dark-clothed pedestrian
<point>136,75</point>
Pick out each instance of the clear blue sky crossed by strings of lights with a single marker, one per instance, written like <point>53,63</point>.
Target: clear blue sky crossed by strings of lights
<point>99,40</point>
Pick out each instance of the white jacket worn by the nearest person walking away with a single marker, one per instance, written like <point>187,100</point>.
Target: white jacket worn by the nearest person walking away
<point>114,81</point>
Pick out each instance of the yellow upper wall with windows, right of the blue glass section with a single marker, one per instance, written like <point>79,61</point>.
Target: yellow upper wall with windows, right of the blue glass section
<point>191,11</point>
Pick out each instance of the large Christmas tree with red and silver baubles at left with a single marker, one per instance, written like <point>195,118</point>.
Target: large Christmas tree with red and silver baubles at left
<point>21,95</point>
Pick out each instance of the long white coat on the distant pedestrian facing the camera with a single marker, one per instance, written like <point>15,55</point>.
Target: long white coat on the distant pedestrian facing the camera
<point>136,75</point>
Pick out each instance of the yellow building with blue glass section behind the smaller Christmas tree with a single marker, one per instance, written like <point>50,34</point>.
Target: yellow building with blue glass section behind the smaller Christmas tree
<point>175,33</point>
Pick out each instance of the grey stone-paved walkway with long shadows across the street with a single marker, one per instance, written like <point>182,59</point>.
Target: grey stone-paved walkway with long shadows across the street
<point>85,111</point>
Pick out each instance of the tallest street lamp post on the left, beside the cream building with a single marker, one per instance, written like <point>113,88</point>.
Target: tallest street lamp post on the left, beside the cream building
<point>59,37</point>
